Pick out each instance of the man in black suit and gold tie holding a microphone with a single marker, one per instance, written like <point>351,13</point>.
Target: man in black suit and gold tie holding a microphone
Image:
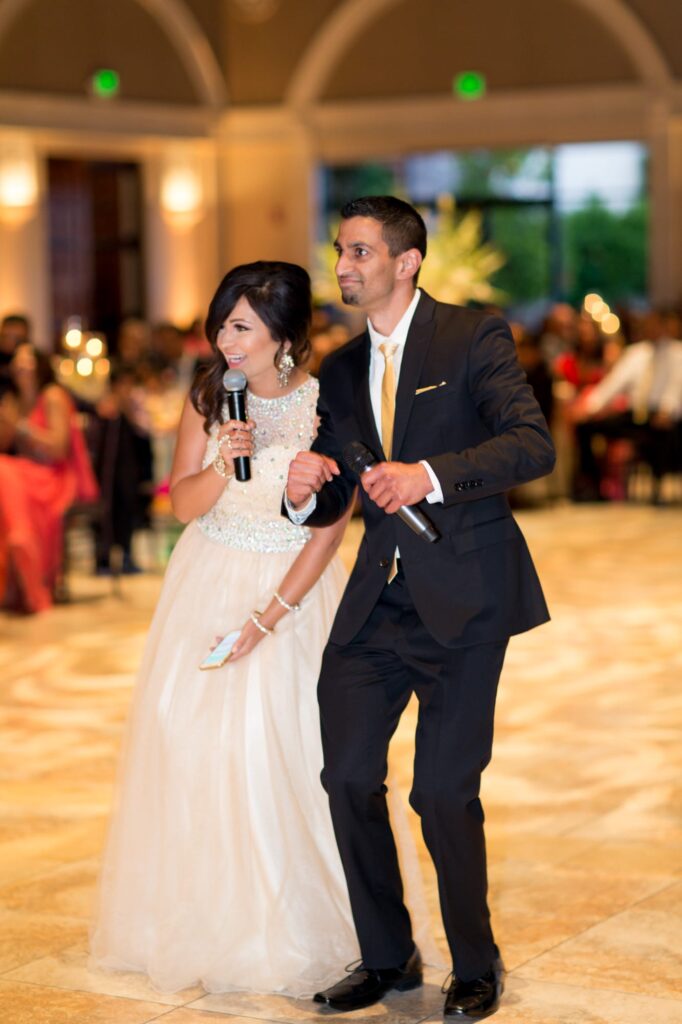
<point>437,393</point>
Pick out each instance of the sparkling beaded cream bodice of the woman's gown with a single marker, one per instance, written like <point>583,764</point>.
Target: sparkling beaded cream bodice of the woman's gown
<point>248,515</point>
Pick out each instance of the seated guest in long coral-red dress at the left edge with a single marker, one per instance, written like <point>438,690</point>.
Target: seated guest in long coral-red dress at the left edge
<point>50,472</point>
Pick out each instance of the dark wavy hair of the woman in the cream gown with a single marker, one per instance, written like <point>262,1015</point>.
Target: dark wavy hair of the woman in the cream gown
<point>280,294</point>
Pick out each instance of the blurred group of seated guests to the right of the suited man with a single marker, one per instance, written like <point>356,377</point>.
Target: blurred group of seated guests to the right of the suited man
<point>614,401</point>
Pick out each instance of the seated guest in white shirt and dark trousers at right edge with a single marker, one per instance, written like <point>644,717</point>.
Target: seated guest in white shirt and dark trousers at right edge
<point>649,378</point>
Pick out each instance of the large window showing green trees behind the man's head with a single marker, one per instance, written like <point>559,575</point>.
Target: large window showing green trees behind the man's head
<point>569,220</point>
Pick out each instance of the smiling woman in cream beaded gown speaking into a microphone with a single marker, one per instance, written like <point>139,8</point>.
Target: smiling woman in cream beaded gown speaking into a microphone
<point>222,867</point>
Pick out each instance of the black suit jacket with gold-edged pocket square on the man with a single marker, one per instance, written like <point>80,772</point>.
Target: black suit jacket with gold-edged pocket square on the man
<point>483,433</point>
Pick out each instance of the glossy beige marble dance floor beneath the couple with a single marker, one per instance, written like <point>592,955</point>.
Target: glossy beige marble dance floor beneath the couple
<point>584,795</point>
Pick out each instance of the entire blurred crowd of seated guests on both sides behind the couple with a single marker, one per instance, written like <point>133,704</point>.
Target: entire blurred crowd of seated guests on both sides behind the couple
<point>614,403</point>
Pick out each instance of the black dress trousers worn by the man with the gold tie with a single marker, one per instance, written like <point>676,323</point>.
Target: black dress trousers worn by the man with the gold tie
<point>364,689</point>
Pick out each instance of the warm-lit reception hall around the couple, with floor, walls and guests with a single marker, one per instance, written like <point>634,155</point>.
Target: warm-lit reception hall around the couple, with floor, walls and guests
<point>147,147</point>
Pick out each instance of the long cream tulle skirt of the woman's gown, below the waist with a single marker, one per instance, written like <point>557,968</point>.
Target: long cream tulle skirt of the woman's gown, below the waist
<point>222,867</point>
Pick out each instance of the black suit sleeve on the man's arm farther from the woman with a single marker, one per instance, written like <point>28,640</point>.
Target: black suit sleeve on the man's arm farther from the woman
<point>521,448</point>
